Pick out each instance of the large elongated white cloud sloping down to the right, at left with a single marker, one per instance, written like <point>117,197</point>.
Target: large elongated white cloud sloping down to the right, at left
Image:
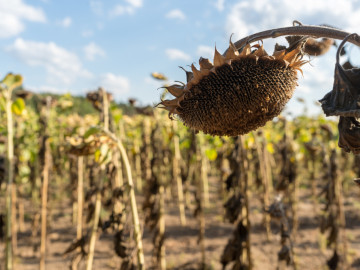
<point>62,66</point>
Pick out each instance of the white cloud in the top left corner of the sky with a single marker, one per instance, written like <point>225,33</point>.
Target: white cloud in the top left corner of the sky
<point>13,13</point>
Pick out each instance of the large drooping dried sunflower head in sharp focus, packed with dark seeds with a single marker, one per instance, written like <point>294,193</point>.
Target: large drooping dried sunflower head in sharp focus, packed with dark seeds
<point>238,92</point>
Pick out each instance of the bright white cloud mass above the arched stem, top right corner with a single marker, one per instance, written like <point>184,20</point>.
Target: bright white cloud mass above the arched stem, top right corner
<point>247,17</point>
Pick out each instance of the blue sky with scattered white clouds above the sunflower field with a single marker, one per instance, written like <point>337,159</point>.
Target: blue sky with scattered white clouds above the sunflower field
<point>76,46</point>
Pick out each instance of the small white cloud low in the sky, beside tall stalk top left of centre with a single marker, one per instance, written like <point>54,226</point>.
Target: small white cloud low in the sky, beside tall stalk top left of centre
<point>116,84</point>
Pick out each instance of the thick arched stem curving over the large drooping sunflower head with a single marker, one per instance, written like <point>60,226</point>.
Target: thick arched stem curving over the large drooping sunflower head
<point>299,30</point>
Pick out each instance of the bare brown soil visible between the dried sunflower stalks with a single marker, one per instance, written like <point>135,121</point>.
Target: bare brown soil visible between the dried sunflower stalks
<point>182,249</point>
